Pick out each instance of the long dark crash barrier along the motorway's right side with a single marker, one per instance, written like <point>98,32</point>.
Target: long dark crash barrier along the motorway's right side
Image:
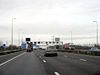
<point>86,52</point>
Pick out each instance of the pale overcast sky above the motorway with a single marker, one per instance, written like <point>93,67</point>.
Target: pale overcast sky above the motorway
<point>42,19</point>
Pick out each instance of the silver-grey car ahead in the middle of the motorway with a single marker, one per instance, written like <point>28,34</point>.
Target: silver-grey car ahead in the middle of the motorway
<point>51,51</point>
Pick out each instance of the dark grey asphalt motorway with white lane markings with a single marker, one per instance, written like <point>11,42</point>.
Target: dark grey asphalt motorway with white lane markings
<point>34,63</point>
